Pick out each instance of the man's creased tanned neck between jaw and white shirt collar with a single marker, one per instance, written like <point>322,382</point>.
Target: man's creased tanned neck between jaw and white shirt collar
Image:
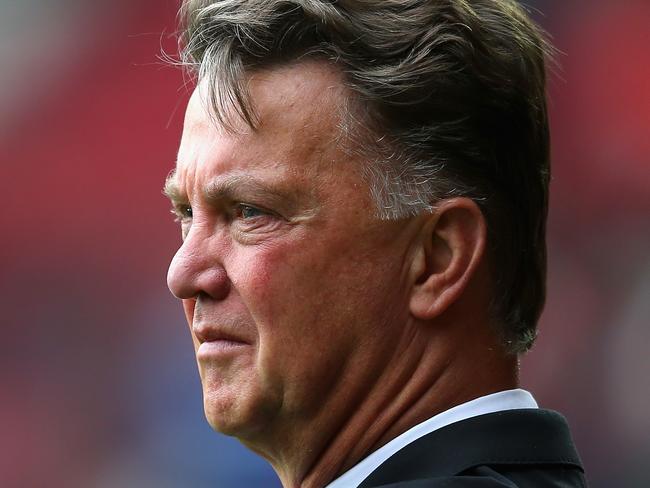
<point>420,381</point>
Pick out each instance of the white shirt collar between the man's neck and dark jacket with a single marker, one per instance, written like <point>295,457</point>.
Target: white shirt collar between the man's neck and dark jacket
<point>496,402</point>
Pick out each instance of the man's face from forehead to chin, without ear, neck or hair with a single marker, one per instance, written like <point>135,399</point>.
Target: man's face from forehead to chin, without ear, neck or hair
<point>292,288</point>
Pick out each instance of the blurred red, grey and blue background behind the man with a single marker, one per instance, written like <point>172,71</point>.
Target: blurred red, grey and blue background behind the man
<point>98,385</point>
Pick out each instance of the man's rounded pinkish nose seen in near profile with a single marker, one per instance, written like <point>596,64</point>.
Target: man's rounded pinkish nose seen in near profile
<point>197,269</point>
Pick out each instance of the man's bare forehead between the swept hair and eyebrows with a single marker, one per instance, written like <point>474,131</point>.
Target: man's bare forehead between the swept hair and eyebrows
<point>298,108</point>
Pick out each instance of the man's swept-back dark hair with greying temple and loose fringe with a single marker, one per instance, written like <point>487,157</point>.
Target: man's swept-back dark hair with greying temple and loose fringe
<point>447,99</point>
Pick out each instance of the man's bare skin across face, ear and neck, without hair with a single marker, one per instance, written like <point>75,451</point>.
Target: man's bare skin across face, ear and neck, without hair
<point>337,331</point>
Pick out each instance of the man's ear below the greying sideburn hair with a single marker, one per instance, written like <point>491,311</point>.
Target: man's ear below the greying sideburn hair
<point>451,246</point>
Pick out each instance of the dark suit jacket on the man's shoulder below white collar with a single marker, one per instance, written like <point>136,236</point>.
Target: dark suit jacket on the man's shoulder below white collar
<point>527,448</point>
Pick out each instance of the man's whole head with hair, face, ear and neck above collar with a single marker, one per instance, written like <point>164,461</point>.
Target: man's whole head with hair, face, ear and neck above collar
<point>362,188</point>
